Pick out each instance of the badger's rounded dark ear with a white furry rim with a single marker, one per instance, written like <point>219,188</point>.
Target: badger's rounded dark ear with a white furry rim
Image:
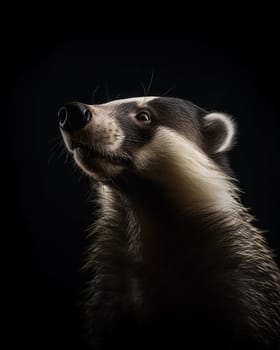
<point>219,132</point>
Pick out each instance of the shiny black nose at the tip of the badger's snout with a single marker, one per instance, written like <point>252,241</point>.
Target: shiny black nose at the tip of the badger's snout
<point>73,116</point>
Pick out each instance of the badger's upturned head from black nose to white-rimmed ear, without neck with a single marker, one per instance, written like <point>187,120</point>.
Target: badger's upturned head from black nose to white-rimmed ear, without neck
<point>147,136</point>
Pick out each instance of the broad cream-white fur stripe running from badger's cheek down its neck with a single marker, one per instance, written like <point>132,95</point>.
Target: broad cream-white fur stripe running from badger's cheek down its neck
<point>182,168</point>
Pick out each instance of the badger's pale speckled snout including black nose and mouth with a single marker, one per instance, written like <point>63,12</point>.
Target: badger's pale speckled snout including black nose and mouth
<point>94,137</point>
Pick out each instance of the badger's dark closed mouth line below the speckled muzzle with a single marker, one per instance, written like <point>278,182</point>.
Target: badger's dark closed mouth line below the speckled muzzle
<point>92,153</point>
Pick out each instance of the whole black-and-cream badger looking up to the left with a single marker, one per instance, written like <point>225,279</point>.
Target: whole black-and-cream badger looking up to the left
<point>175,259</point>
